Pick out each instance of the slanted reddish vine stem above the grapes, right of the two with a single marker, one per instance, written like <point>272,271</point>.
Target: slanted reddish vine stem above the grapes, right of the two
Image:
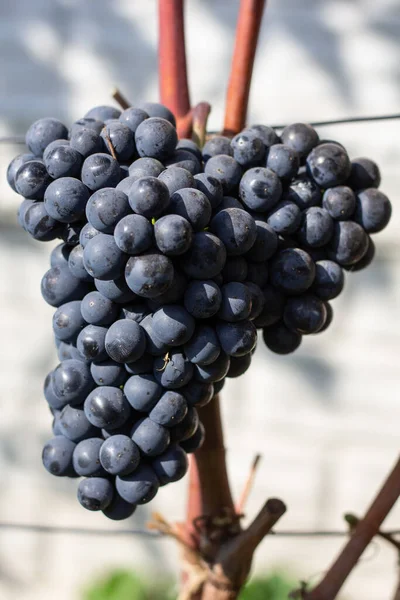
<point>247,31</point>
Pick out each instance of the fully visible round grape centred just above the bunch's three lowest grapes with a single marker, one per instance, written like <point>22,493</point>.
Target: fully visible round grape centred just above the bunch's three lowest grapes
<point>119,455</point>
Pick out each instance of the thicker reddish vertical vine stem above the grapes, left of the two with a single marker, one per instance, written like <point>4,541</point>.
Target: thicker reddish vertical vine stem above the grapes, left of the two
<point>173,80</point>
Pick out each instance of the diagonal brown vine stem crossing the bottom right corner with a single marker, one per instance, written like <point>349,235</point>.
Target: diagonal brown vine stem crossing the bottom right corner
<point>362,535</point>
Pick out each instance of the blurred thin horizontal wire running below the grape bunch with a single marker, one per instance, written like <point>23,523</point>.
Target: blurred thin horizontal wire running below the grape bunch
<point>143,532</point>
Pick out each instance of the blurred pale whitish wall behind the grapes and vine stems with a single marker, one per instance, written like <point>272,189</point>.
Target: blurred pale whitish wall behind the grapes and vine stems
<point>326,420</point>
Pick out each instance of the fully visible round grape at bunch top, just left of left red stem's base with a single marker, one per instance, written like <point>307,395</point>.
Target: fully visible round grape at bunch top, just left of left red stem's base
<point>155,138</point>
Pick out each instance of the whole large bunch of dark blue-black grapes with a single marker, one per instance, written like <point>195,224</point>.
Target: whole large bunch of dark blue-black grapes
<point>172,257</point>
